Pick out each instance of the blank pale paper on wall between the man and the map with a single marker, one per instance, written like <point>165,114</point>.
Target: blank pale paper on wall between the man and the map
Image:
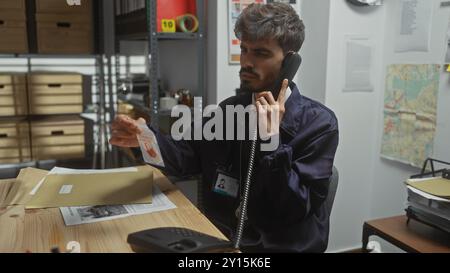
<point>358,64</point>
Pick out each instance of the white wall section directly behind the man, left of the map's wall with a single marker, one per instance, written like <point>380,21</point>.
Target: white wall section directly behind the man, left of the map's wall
<point>357,114</point>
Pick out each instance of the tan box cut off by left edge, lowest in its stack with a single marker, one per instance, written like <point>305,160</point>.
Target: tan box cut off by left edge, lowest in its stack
<point>14,142</point>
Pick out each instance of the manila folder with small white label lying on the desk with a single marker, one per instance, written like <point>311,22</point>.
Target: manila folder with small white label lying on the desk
<point>94,190</point>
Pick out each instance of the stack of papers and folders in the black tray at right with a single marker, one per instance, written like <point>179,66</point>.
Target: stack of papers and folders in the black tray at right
<point>429,201</point>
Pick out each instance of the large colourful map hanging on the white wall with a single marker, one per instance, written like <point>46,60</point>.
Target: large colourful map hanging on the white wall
<point>410,112</point>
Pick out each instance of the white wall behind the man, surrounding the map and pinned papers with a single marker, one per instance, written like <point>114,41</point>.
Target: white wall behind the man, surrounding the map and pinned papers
<point>371,187</point>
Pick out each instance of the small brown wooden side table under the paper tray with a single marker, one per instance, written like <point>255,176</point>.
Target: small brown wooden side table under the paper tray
<point>412,237</point>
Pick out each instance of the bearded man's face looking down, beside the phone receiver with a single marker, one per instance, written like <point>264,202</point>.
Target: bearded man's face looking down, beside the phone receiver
<point>260,64</point>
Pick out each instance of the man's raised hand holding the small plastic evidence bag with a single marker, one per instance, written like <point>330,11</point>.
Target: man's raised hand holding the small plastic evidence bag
<point>125,131</point>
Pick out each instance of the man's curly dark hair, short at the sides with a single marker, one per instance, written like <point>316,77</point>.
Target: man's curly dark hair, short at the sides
<point>271,21</point>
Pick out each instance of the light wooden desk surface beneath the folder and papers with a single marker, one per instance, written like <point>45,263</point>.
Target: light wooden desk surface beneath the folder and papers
<point>41,230</point>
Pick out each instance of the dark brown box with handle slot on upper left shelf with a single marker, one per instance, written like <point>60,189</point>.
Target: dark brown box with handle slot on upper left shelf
<point>64,34</point>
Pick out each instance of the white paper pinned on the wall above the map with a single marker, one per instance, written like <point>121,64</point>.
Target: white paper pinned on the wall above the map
<point>414,27</point>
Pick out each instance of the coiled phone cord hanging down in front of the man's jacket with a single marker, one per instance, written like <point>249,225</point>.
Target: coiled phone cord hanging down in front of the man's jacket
<point>244,202</point>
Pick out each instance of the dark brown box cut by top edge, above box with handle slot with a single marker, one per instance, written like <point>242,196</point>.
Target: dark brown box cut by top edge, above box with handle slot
<point>62,6</point>
